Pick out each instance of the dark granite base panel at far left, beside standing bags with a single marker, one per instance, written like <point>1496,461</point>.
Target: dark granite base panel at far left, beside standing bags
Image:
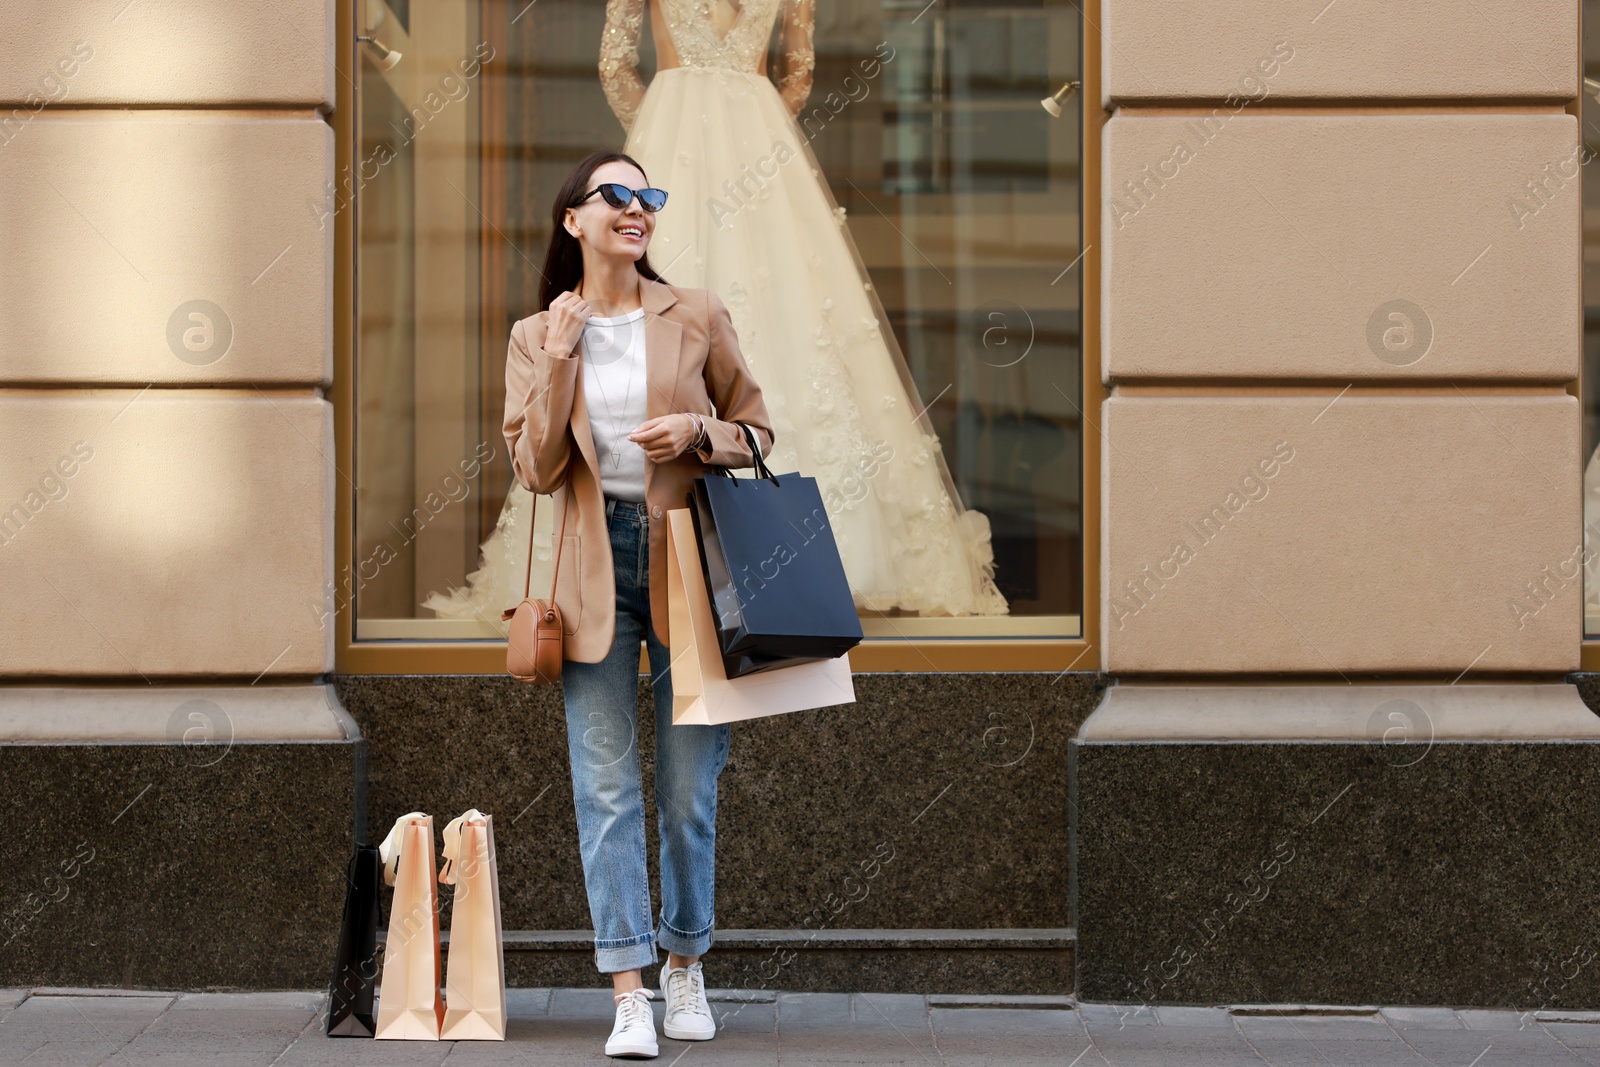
<point>170,866</point>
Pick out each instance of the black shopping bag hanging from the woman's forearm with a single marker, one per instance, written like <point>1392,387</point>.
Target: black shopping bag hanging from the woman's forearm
<point>778,586</point>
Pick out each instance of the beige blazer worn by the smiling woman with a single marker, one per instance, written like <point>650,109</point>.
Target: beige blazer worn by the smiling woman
<point>692,364</point>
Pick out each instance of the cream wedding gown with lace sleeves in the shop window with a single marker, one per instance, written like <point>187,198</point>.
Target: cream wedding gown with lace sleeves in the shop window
<point>751,217</point>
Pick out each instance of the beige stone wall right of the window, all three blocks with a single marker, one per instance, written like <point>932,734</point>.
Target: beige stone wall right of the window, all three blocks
<point>1338,330</point>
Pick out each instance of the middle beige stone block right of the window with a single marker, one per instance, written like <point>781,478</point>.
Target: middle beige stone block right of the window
<point>1276,244</point>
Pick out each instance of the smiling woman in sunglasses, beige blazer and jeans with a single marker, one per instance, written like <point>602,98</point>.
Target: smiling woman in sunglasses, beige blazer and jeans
<point>610,398</point>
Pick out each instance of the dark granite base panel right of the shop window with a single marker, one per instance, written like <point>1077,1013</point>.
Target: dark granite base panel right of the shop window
<point>1338,874</point>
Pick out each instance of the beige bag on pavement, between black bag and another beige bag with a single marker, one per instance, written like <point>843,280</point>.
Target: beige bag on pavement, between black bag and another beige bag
<point>409,1001</point>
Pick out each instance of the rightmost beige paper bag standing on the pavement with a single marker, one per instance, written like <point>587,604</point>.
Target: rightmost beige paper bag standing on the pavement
<point>476,967</point>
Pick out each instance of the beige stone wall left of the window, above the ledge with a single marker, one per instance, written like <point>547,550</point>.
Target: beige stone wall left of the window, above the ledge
<point>167,473</point>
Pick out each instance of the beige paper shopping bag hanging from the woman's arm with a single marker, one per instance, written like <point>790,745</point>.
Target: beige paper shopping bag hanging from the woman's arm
<point>702,690</point>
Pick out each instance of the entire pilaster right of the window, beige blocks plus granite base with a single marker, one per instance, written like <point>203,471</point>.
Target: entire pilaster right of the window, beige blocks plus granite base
<point>1342,562</point>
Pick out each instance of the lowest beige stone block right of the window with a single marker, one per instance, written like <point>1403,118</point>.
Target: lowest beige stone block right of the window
<point>1342,533</point>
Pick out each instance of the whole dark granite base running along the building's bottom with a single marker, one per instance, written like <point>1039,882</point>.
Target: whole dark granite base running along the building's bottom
<point>1460,879</point>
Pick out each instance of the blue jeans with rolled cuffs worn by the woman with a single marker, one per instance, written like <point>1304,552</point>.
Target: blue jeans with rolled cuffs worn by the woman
<point>602,745</point>
